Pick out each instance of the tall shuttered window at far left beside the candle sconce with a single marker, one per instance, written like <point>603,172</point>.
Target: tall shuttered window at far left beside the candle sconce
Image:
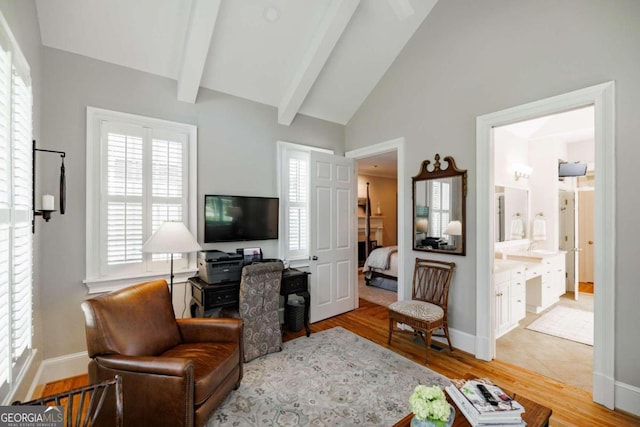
<point>15,213</point>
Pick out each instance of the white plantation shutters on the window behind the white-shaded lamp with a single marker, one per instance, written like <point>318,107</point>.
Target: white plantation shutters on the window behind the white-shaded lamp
<point>144,182</point>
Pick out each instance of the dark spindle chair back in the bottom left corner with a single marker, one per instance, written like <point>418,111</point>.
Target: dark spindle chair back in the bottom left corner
<point>82,406</point>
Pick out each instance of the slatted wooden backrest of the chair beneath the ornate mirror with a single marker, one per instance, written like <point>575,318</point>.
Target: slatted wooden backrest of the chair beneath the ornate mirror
<point>431,280</point>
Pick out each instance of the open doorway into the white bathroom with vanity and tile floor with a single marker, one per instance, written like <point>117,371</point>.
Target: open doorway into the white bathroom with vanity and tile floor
<point>539,244</point>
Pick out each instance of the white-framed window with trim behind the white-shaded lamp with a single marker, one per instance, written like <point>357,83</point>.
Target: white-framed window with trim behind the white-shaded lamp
<point>142,173</point>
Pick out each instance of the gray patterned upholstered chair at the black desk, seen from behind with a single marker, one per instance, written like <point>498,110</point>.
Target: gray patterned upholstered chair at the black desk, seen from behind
<point>258,308</point>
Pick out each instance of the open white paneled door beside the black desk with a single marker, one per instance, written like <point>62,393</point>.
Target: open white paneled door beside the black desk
<point>332,240</point>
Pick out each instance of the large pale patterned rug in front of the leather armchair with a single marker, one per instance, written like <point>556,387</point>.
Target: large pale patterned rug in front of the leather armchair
<point>332,378</point>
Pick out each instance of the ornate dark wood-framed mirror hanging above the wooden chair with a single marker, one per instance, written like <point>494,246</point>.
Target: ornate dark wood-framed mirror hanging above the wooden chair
<point>439,208</point>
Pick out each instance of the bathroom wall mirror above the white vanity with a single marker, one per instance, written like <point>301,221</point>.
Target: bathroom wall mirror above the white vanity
<point>511,214</point>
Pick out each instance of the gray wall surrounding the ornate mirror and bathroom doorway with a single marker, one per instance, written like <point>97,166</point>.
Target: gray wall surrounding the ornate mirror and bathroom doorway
<point>472,58</point>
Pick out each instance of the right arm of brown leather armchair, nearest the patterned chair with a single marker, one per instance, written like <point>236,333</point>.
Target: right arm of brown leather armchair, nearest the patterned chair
<point>210,329</point>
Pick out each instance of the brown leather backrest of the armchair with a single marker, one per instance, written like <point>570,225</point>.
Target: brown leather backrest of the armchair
<point>134,321</point>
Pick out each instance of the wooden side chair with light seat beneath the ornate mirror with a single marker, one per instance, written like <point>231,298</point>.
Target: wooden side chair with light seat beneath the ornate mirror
<point>426,311</point>
